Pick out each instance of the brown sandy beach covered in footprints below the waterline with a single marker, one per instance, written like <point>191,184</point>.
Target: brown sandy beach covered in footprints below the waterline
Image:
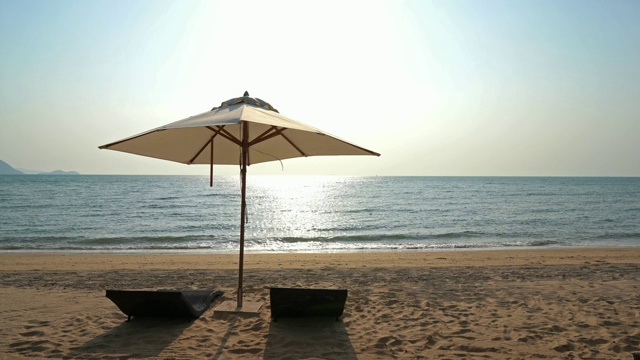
<point>523,304</point>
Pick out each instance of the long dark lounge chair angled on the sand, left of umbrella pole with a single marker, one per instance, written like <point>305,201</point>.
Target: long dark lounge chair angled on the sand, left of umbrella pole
<point>163,303</point>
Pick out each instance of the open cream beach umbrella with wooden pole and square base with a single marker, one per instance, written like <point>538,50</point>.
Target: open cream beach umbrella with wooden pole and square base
<point>241,131</point>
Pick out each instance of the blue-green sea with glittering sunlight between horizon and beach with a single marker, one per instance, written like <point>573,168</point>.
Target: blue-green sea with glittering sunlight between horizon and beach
<point>323,214</point>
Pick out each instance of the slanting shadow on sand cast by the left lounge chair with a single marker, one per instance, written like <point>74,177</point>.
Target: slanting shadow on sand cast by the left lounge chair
<point>143,337</point>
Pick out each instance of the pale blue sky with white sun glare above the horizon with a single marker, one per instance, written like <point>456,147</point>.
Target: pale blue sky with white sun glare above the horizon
<point>528,87</point>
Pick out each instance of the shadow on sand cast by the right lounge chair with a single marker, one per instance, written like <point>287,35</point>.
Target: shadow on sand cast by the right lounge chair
<point>322,338</point>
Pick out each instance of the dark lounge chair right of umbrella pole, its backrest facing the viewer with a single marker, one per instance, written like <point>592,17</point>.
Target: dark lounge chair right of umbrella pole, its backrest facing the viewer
<point>289,302</point>
